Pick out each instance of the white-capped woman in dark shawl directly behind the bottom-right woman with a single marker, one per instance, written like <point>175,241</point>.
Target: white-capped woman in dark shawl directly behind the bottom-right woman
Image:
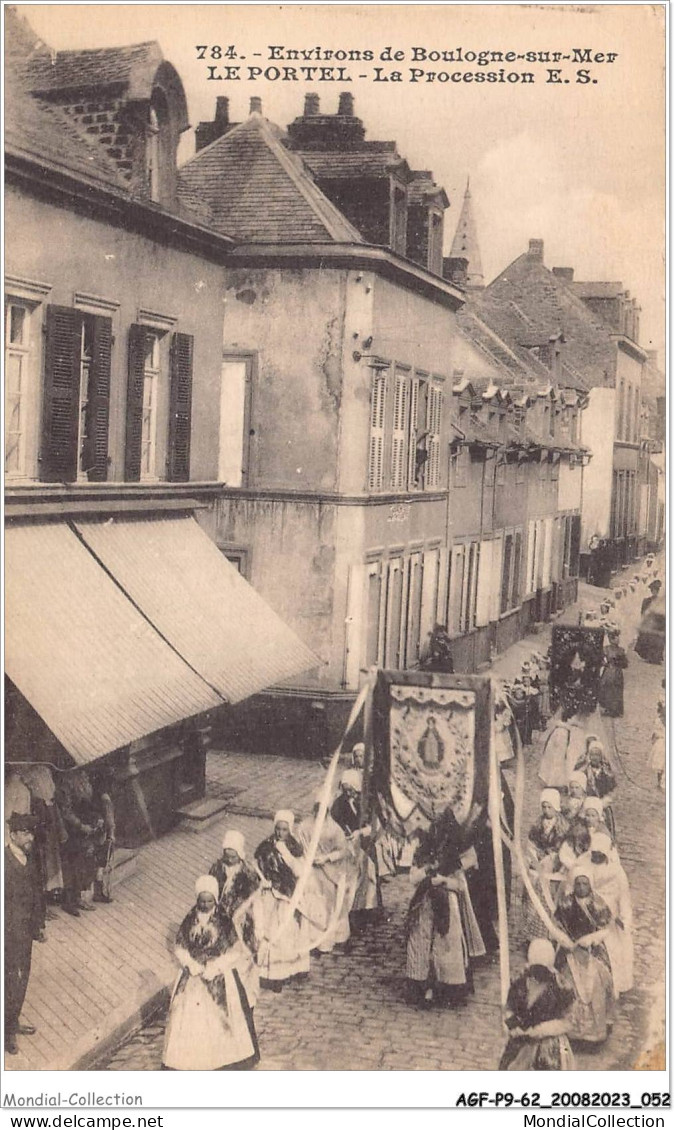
<point>584,964</point>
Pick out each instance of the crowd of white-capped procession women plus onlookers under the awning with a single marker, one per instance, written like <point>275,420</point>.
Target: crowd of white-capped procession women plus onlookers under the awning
<point>262,917</point>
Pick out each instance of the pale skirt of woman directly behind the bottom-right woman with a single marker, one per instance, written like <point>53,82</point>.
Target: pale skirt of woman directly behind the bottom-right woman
<point>594,1007</point>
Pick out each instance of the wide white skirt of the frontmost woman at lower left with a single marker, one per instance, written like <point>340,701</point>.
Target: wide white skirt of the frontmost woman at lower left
<point>203,1036</point>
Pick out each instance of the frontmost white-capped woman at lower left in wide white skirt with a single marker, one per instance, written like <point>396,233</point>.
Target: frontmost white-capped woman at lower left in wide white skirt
<point>211,1023</point>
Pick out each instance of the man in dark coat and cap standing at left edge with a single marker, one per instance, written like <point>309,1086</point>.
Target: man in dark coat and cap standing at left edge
<point>22,924</point>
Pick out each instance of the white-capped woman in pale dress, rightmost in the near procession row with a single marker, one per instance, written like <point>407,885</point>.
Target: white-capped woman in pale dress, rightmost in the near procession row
<point>610,882</point>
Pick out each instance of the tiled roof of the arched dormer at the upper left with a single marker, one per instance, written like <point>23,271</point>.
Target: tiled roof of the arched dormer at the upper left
<point>81,69</point>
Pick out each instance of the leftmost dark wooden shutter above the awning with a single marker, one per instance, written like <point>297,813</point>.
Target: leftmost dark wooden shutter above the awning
<point>61,416</point>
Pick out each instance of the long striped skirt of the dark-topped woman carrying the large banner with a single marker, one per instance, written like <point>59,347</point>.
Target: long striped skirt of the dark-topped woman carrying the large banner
<point>436,958</point>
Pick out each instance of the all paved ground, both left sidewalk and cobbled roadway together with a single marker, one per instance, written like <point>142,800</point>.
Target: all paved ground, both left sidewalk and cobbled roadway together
<point>101,979</point>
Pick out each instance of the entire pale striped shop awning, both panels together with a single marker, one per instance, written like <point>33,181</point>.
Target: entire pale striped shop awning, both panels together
<point>119,628</point>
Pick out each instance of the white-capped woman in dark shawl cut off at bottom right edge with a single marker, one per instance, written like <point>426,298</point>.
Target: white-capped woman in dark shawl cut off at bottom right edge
<point>538,1016</point>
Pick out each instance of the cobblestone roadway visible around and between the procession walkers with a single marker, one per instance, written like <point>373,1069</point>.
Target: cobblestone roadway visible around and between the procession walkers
<point>352,1013</point>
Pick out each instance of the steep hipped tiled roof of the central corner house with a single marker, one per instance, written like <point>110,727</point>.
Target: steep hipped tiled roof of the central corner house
<point>260,192</point>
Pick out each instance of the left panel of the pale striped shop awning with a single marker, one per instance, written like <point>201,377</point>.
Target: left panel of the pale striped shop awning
<point>98,674</point>
